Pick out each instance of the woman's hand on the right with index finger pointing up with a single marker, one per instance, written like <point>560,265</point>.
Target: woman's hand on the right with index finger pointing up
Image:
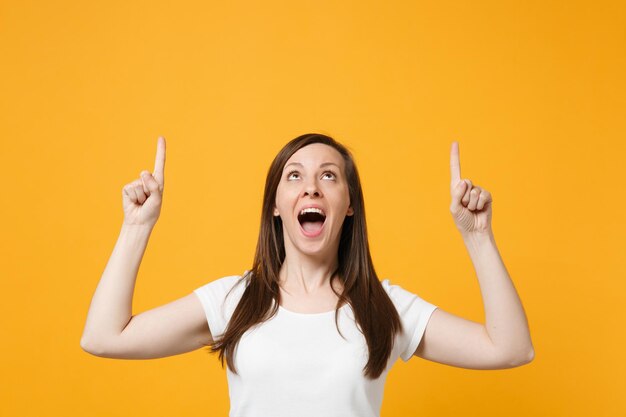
<point>471,205</point>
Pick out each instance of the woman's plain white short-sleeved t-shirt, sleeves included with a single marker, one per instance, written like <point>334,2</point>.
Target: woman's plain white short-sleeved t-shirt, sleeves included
<point>298,365</point>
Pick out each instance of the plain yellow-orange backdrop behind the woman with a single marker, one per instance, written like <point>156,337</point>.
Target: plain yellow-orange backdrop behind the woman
<point>533,91</point>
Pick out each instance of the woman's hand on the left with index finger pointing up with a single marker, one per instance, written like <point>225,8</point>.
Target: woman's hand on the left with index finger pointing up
<point>142,198</point>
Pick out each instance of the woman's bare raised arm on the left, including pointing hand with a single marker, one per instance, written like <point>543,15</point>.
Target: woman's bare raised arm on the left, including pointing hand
<point>110,329</point>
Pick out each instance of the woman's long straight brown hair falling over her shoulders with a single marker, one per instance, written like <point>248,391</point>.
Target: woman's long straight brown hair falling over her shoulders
<point>374,311</point>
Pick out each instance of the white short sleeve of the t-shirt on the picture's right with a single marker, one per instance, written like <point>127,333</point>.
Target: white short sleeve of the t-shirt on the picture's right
<point>414,314</point>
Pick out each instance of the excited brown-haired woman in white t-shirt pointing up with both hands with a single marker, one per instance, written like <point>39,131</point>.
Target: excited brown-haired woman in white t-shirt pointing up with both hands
<point>309,330</point>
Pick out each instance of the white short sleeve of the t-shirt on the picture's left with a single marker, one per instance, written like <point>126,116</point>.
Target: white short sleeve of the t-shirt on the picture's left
<point>218,304</point>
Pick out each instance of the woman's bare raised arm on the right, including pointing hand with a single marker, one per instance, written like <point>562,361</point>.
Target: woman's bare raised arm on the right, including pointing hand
<point>504,341</point>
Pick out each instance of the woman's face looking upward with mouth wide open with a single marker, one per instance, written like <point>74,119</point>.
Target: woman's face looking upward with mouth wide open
<point>313,176</point>
